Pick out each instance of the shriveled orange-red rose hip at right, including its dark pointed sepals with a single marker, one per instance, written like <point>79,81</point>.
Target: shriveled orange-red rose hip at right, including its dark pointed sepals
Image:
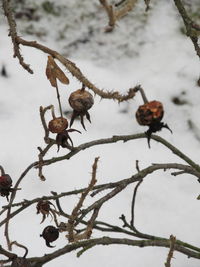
<point>151,114</point>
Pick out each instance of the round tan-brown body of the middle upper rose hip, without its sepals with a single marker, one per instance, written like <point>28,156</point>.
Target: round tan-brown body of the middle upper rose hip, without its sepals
<point>81,101</point>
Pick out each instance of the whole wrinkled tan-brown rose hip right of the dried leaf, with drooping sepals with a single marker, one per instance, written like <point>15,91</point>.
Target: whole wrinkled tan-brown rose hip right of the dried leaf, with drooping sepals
<point>81,101</point>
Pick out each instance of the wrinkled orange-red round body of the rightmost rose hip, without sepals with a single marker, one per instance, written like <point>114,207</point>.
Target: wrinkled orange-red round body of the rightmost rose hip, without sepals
<point>149,113</point>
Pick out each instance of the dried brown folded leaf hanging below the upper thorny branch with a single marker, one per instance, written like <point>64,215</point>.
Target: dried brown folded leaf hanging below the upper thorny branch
<point>54,72</point>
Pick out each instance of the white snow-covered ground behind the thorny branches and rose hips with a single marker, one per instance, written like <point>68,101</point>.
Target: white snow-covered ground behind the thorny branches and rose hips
<point>152,52</point>
